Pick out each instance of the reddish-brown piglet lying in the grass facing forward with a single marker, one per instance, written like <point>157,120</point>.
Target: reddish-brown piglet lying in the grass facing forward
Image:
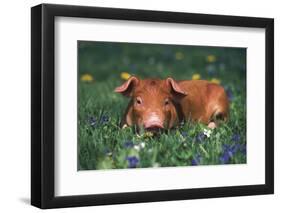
<point>162,104</point>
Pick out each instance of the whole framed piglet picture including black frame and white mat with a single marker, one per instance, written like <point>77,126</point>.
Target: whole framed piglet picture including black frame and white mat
<point>181,97</point>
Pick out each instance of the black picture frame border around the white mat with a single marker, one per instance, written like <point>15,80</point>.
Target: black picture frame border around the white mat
<point>43,105</point>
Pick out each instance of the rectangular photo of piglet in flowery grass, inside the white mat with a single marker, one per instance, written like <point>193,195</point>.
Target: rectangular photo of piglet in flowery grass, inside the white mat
<point>159,105</point>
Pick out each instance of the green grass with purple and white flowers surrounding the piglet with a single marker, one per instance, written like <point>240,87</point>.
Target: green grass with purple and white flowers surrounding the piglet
<point>104,145</point>
